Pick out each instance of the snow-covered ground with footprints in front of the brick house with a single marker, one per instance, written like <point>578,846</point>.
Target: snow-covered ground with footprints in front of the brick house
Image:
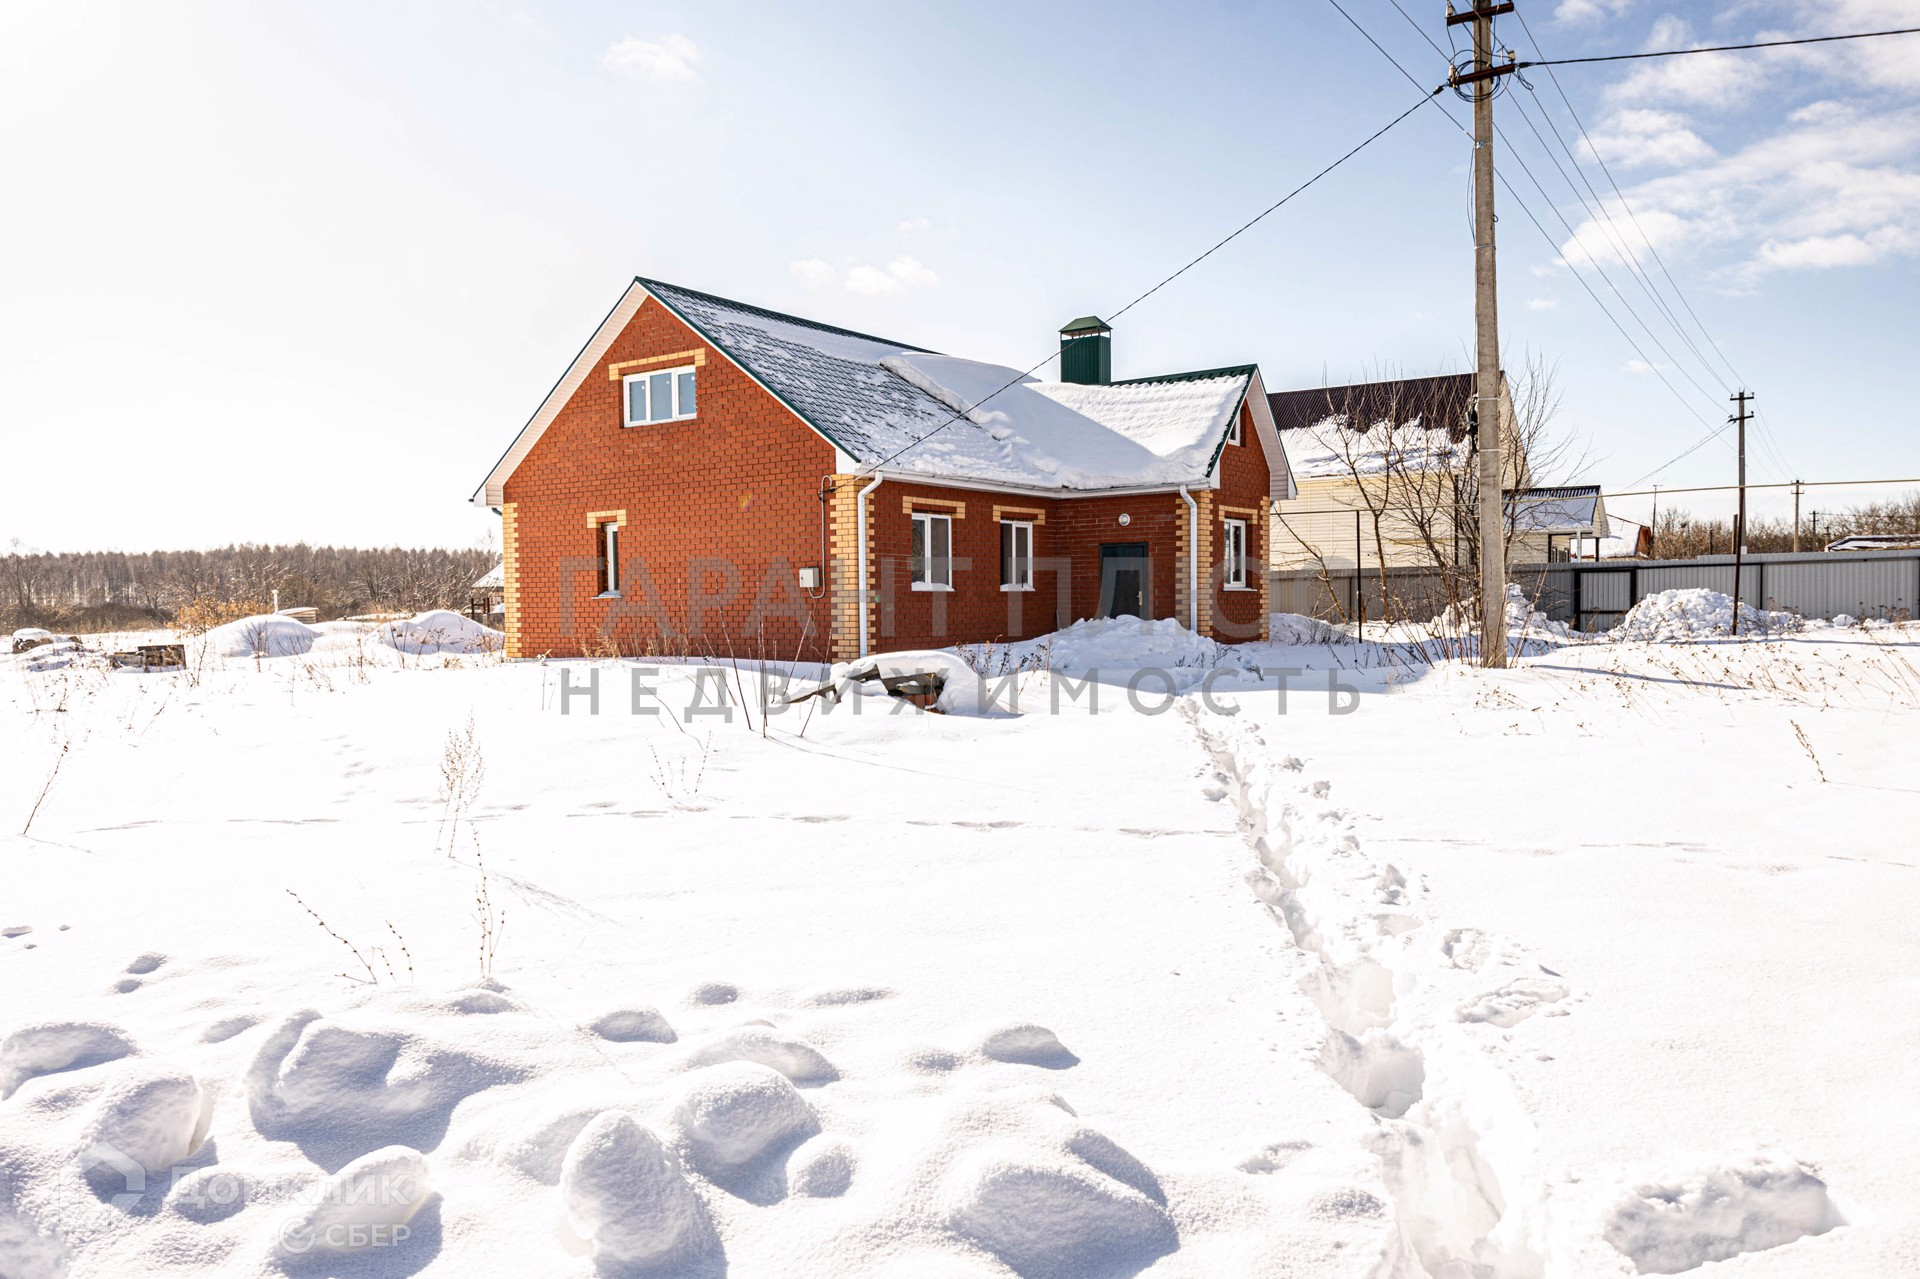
<point>1604,965</point>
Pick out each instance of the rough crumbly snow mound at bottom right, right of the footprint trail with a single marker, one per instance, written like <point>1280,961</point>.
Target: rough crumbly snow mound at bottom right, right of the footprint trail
<point>1719,1213</point>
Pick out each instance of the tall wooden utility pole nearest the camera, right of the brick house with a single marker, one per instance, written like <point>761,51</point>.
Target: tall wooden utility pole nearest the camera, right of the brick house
<point>1485,82</point>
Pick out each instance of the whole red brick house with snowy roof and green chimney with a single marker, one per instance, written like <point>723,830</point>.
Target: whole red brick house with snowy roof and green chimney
<point>711,477</point>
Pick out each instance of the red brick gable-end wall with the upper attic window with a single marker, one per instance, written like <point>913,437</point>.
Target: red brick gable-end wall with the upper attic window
<point>721,512</point>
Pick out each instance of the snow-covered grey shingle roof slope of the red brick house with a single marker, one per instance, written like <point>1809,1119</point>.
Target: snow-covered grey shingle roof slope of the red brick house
<point>909,410</point>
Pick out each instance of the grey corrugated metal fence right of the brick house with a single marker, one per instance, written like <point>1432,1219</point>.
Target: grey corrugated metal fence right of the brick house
<point>1596,596</point>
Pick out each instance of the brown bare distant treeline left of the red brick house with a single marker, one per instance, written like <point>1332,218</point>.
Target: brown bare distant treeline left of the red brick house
<point>118,591</point>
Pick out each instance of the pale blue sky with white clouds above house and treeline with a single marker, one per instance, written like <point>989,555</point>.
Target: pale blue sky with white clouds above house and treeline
<point>285,272</point>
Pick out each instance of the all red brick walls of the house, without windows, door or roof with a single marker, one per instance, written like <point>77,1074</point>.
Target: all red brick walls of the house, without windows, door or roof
<point>721,512</point>
